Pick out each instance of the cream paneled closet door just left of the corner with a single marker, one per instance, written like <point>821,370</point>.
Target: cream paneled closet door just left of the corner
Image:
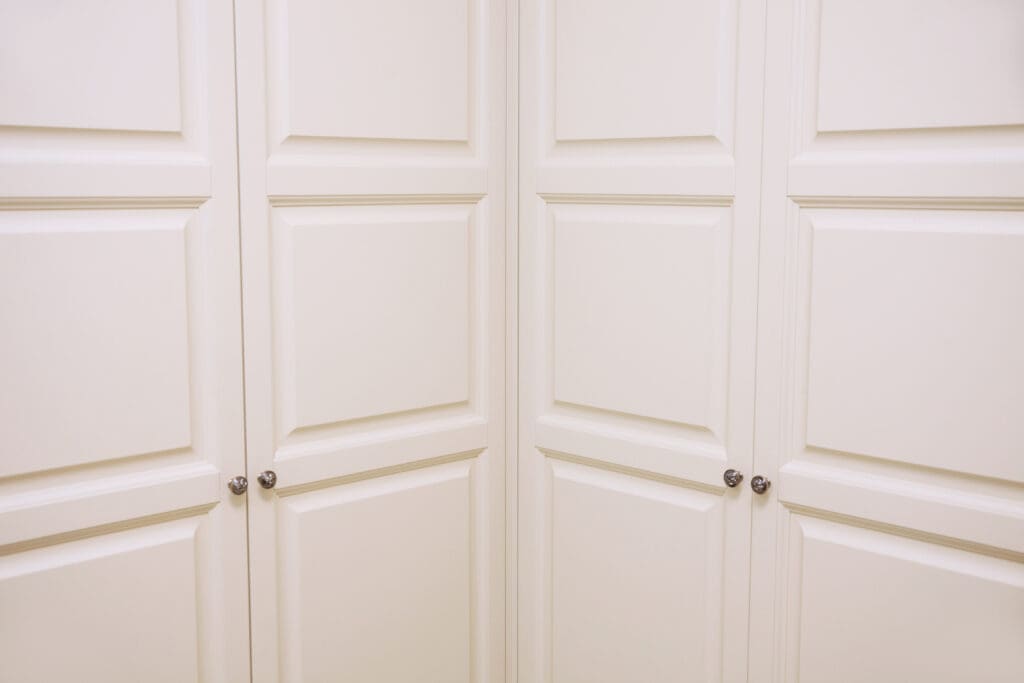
<point>373,202</point>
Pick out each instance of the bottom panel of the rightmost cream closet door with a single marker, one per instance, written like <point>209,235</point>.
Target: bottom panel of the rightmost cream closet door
<point>880,608</point>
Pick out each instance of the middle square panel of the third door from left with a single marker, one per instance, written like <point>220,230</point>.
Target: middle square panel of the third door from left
<point>637,306</point>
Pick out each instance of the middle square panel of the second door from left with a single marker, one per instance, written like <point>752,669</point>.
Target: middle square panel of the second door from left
<point>373,308</point>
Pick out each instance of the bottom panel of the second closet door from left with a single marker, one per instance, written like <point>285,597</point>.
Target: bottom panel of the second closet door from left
<point>376,580</point>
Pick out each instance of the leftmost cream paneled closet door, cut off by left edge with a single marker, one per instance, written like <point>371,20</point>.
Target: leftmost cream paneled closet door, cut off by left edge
<point>122,550</point>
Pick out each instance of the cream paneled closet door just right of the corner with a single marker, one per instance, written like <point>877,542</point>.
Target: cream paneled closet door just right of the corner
<point>641,162</point>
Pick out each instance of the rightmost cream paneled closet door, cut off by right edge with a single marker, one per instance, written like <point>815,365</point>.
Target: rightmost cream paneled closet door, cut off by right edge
<point>891,362</point>
